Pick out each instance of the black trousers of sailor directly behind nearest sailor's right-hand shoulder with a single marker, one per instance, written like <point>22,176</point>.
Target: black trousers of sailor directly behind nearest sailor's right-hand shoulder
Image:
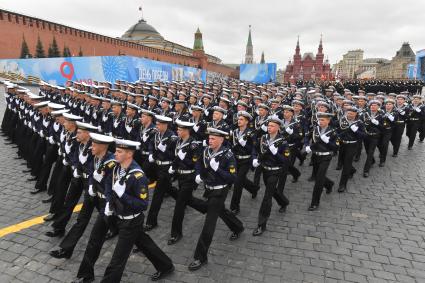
<point>163,186</point>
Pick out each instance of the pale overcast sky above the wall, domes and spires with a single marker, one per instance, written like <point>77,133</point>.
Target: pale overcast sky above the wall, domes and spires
<point>379,27</point>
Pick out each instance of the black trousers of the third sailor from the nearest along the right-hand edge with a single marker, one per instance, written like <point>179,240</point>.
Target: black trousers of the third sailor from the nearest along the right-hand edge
<point>271,178</point>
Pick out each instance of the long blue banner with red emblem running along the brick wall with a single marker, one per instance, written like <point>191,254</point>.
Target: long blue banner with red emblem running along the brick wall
<point>97,68</point>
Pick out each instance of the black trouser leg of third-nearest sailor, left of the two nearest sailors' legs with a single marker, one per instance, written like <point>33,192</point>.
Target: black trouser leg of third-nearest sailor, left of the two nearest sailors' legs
<point>83,219</point>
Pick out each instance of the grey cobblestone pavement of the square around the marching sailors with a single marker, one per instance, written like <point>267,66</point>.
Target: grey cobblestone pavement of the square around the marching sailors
<point>373,233</point>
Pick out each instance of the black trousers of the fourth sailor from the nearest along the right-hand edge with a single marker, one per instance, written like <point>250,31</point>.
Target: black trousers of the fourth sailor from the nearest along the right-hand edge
<point>320,167</point>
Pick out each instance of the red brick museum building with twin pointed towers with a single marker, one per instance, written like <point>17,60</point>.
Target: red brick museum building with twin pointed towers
<point>308,66</point>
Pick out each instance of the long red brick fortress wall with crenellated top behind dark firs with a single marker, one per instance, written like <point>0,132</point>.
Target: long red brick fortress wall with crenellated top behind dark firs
<point>14,26</point>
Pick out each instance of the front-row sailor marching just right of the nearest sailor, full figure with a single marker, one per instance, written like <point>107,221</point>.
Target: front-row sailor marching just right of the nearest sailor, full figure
<point>218,172</point>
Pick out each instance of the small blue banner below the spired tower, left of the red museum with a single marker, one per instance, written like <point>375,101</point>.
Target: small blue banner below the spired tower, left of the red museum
<point>258,73</point>
